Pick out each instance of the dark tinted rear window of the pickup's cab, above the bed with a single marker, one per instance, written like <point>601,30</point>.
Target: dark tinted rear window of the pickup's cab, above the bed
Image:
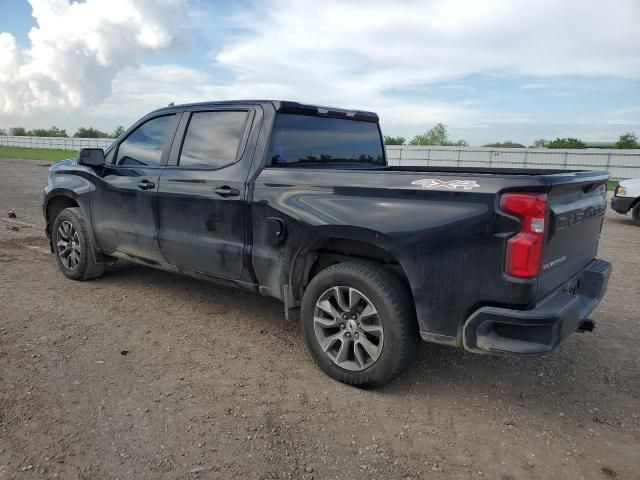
<point>302,140</point>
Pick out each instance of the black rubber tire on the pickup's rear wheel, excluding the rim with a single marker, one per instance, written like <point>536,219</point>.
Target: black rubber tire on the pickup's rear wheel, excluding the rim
<point>395,313</point>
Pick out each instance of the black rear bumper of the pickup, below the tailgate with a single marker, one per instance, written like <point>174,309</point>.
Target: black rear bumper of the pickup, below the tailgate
<point>542,328</point>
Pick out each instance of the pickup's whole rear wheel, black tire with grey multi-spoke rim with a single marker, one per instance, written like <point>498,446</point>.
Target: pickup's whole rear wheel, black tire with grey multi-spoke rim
<point>359,323</point>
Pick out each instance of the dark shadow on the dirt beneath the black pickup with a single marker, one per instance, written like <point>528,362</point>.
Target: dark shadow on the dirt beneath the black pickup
<point>555,381</point>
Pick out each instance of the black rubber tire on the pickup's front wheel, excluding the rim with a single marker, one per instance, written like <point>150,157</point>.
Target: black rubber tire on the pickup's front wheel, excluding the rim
<point>85,268</point>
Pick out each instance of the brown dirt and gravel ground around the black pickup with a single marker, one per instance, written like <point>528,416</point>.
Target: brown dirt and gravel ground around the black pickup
<point>145,374</point>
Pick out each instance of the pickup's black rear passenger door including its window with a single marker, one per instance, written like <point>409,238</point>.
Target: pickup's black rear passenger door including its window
<point>202,194</point>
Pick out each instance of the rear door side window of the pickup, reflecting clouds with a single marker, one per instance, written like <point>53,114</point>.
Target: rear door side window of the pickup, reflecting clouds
<point>212,139</point>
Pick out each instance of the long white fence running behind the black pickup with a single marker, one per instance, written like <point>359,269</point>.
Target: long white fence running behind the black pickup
<point>620,163</point>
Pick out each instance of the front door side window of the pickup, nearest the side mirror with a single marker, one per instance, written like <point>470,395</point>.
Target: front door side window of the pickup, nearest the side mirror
<point>143,146</point>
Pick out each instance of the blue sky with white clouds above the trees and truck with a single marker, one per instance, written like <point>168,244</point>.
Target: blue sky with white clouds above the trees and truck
<point>489,70</point>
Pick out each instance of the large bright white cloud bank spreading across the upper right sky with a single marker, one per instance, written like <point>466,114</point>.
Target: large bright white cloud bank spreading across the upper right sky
<point>353,54</point>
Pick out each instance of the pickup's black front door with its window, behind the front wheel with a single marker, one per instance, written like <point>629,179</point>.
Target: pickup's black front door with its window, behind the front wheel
<point>124,210</point>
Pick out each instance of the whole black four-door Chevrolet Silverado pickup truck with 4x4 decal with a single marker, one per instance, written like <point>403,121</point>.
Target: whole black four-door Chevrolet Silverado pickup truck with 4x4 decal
<point>298,202</point>
